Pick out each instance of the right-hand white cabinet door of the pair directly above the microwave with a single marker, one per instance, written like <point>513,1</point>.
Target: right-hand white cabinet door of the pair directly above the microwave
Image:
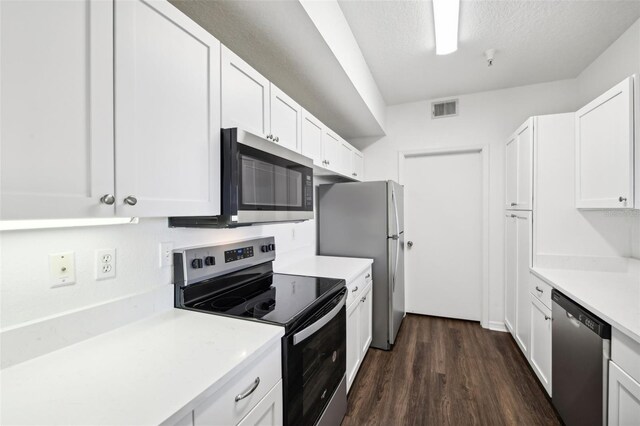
<point>286,120</point>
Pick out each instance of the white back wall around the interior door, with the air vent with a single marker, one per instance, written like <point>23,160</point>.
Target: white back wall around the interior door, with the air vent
<point>484,119</point>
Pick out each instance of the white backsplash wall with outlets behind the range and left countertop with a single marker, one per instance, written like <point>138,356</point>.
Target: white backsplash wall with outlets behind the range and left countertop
<point>26,294</point>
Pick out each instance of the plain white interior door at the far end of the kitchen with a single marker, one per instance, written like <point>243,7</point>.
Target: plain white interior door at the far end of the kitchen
<point>443,213</point>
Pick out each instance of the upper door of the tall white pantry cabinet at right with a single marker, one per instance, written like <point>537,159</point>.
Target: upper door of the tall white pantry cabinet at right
<point>519,168</point>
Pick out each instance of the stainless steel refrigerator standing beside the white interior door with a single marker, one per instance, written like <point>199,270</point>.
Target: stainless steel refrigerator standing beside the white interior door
<point>366,219</point>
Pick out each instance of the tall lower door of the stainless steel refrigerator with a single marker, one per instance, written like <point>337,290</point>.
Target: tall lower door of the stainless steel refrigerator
<point>396,286</point>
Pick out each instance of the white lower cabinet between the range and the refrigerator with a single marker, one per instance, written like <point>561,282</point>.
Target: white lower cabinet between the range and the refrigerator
<point>359,323</point>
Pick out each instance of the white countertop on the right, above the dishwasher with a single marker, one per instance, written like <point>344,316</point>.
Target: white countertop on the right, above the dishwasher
<point>613,296</point>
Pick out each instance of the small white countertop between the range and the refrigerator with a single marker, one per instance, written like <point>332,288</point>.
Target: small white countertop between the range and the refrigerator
<point>347,268</point>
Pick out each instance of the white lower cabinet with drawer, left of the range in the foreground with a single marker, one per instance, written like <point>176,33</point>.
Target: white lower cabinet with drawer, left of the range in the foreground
<point>244,393</point>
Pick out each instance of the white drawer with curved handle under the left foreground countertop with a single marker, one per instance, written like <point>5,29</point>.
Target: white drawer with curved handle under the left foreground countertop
<point>222,407</point>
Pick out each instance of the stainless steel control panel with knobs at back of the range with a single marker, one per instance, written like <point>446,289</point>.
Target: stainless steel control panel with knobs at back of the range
<point>195,264</point>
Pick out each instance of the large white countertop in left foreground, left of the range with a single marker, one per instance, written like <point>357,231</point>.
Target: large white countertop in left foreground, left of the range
<point>142,373</point>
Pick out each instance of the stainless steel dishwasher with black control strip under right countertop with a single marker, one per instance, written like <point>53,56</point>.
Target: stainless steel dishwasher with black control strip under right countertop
<point>580,351</point>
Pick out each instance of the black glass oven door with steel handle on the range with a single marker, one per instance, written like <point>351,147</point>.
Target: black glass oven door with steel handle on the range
<point>315,363</point>
